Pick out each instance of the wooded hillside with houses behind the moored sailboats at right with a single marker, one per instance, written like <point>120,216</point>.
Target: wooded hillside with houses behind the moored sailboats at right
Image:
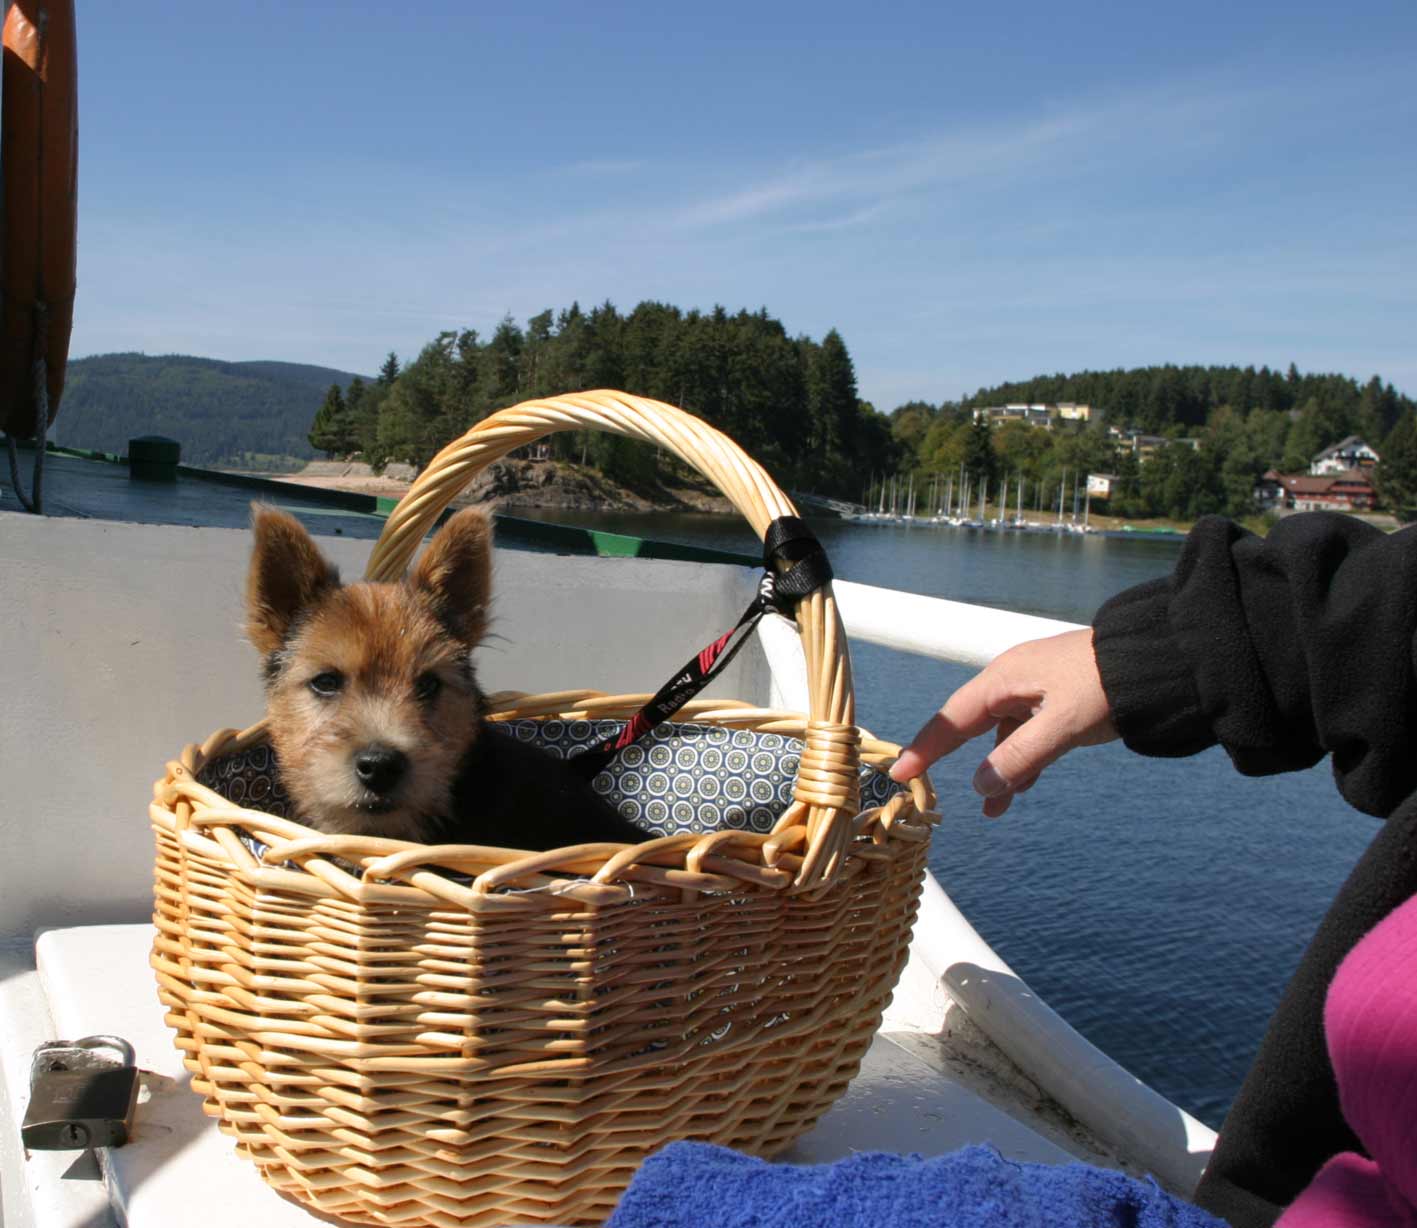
<point>1226,426</point>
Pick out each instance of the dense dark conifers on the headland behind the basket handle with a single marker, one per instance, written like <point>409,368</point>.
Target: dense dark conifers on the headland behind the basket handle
<point>790,402</point>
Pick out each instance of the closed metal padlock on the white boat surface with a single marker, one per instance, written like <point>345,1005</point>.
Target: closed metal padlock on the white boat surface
<point>81,1096</point>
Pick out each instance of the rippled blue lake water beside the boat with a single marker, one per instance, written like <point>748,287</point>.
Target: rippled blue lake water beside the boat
<point>1158,904</point>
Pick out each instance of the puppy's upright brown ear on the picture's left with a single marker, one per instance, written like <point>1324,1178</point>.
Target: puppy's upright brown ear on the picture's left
<point>288,574</point>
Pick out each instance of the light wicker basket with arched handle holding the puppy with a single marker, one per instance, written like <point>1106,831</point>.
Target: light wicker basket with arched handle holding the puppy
<point>467,1036</point>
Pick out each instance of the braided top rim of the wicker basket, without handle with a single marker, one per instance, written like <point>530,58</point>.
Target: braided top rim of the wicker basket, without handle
<point>593,875</point>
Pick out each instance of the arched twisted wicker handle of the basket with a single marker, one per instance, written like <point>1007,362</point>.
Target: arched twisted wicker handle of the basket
<point>828,784</point>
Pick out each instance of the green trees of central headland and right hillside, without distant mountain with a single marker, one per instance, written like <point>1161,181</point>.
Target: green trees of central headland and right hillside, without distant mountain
<point>793,404</point>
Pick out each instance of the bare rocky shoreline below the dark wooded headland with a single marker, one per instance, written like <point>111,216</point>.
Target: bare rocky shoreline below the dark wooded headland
<point>512,485</point>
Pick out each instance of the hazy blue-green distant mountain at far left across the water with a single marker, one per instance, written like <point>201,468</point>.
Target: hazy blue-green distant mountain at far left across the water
<point>242,414</point>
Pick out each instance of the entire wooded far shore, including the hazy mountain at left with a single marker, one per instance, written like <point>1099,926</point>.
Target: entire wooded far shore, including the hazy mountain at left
<point>1177,443</point>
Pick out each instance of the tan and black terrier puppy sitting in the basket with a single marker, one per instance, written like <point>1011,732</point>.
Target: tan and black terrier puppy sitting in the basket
<point>375,710</point>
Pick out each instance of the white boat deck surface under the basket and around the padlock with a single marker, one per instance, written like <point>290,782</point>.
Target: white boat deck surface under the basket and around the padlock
<point>96,979</point>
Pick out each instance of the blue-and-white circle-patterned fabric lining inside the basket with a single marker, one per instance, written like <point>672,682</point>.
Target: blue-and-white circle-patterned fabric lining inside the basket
<point>677,780</point>
